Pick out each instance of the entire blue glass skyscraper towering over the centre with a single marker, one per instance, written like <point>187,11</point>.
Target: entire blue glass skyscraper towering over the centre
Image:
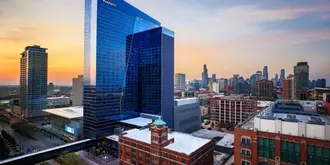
<point>114,60</point>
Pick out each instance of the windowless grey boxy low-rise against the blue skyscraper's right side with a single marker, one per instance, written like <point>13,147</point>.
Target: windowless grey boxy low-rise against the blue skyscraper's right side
<point>187,115</point>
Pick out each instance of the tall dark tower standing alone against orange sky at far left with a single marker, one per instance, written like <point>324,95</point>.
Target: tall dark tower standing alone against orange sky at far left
<point>33,81</point>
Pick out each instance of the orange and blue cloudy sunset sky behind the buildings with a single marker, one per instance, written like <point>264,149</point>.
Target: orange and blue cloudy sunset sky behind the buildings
<point>231,37</point>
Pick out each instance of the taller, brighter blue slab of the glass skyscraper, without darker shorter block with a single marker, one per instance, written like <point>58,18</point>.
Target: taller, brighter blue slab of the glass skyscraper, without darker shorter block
<point>108,25</point>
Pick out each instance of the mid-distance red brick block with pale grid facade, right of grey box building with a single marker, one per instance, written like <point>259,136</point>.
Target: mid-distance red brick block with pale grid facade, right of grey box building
<point>231,110</point>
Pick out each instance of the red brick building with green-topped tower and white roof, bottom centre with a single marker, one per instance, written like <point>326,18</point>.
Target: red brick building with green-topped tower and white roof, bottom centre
<point>157,146</point>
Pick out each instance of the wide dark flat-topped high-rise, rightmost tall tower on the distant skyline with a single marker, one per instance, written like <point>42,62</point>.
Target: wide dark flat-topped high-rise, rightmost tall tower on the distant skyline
<point>301,77</point>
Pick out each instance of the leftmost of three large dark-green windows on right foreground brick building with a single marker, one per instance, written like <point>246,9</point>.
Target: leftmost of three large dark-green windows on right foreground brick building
<point>266,148</point>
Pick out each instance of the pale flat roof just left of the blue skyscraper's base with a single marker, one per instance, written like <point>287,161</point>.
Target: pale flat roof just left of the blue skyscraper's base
<point>67,112</point>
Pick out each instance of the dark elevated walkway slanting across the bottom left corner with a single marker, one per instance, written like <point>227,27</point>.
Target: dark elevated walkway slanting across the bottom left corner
<point>37,157</point>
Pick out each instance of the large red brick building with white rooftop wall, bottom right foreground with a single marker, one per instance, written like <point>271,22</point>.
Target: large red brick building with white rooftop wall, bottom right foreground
<point>284,139</point>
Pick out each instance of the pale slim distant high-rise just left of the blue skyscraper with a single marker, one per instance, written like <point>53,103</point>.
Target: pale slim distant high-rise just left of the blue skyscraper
<point>77,91</point>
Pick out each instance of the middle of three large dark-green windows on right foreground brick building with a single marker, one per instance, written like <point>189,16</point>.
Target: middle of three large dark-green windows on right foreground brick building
<point>290,152</point>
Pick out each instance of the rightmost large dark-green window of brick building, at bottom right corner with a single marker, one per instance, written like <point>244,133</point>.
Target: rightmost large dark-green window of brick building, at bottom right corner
<point>318,155</point>
